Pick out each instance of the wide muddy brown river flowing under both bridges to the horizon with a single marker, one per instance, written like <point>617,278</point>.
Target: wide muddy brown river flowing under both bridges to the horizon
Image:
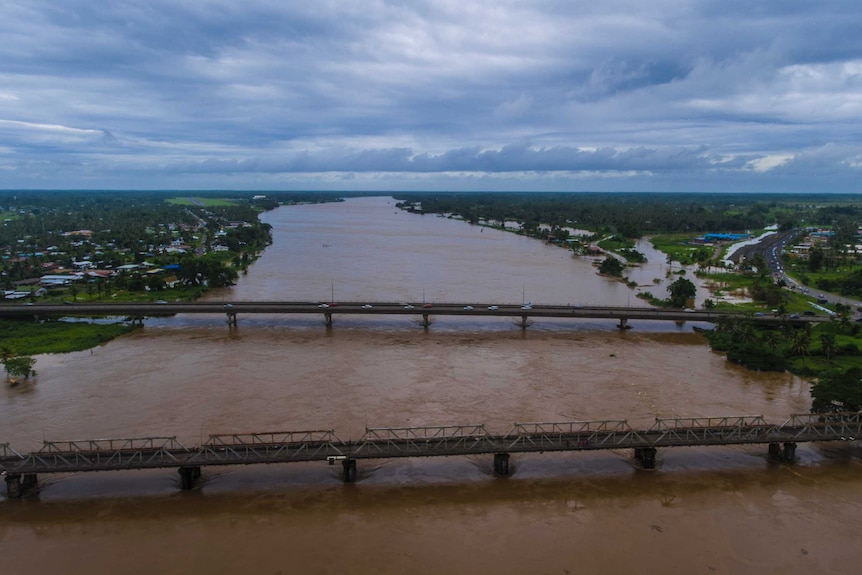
<point>715,510</point>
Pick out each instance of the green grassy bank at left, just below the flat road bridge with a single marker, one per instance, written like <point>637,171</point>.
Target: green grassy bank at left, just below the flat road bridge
<point>31,338</point>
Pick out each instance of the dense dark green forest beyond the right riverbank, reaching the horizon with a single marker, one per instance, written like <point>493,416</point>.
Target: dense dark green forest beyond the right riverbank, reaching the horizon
<point>636,214</point>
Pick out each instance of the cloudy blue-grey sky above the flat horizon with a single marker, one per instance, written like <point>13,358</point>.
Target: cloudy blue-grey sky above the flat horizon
<point>545,95</point>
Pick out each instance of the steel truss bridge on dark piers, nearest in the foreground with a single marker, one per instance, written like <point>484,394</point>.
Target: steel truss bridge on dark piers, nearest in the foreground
<point>21,470</point>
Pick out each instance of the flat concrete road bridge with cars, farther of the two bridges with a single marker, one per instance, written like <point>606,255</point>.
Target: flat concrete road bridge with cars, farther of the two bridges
<point>422,311</point>
